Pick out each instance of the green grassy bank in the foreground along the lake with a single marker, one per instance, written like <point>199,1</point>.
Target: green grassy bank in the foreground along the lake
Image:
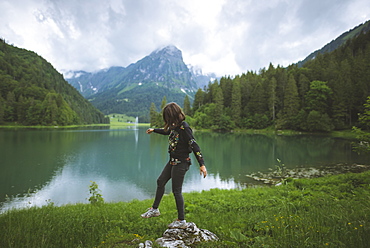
<point>324,212</point>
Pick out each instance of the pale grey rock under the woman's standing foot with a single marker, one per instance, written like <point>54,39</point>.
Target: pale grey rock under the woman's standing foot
<point>183,237</point>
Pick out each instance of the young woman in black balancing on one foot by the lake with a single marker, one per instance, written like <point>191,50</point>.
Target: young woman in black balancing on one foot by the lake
<point>181,144</point>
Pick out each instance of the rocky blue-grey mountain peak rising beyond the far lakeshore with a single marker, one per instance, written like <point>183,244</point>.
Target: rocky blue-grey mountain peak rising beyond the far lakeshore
<point>131,90</point>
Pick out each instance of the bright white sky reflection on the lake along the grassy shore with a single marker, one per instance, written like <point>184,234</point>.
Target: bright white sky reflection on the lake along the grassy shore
<point>69,187</point>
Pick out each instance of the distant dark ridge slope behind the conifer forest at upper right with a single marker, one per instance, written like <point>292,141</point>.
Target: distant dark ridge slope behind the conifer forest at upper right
<point>342,39</point>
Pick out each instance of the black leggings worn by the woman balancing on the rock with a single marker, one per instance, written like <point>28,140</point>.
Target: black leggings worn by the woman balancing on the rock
<point>177,173</point>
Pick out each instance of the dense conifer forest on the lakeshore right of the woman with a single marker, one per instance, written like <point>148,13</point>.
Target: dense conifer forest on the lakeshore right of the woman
<point>327,93</point>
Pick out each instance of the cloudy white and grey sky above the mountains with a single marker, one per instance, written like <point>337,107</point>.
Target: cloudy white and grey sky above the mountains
<point>227,37</point>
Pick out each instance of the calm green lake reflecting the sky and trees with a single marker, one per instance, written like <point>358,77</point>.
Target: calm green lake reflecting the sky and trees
<point>40,166</point>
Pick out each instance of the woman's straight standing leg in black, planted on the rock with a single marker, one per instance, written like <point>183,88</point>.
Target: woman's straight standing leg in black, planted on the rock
<point>178,174</point>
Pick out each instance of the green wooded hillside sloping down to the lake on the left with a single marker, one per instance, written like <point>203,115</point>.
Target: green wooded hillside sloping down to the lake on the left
<point>32,92</point>
